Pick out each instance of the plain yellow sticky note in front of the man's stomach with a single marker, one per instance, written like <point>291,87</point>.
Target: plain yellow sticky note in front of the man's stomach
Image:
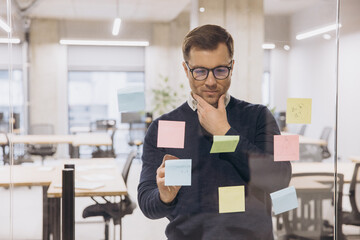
<point>231,199</point>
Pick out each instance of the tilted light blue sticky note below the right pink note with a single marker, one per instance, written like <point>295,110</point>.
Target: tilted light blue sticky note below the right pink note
<point>284,200</point>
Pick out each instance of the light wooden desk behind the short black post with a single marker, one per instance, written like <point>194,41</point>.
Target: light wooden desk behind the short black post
<point>49,177</point>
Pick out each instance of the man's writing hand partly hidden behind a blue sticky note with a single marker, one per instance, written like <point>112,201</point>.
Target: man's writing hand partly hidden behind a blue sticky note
<point>167,193</point>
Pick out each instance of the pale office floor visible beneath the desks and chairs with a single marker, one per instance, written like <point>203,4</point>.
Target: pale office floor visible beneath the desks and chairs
<point>27,214</point>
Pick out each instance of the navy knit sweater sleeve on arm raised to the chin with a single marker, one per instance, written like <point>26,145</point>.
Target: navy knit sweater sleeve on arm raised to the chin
<point>254,160</point>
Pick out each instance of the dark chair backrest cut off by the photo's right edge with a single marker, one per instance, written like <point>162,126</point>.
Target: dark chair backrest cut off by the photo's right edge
<point>355,191</point>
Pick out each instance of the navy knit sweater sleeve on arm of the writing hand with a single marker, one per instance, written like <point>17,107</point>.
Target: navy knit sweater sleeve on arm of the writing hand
<point>148,192</point>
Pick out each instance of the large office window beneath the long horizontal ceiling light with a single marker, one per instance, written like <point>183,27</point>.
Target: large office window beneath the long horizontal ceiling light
<point>92,95</point>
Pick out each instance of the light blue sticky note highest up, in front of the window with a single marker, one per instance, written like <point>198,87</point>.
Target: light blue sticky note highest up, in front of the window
<point>131,100</point>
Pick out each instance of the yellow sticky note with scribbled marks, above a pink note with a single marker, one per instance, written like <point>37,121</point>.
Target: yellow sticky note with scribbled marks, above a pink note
<point>298,110</point>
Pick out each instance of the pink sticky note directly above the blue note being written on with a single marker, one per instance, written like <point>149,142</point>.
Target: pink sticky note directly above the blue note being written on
<point>171,134</point>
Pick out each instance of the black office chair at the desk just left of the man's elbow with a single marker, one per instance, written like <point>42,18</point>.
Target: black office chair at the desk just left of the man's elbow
<point>115,211</point>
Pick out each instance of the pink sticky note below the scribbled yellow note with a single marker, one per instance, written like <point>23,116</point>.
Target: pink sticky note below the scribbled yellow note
<point>286,147</point>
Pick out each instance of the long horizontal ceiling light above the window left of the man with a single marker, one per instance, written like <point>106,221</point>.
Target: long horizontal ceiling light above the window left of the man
<point>104,43</point>
